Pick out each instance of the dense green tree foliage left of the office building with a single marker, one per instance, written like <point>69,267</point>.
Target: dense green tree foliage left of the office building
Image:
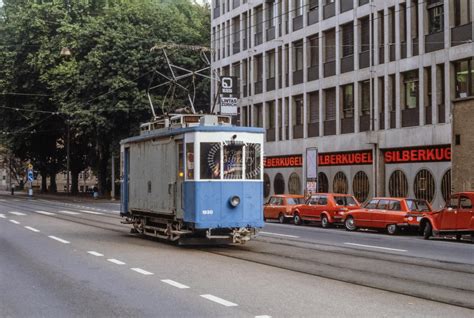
<point>100,87</point>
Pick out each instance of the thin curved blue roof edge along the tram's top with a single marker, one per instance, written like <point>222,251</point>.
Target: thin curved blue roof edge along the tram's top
<point>178,131</point>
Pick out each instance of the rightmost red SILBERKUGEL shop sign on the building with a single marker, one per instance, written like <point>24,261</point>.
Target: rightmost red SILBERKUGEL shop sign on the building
<point>418,154</point>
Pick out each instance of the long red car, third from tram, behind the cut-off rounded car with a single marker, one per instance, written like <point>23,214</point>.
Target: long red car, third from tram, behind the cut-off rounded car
<point>391,214</point>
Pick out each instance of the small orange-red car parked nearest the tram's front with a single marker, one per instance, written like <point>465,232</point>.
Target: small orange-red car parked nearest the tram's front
<point>281,206</point>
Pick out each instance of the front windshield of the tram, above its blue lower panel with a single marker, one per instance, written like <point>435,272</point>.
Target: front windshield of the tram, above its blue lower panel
<point>228,161</point>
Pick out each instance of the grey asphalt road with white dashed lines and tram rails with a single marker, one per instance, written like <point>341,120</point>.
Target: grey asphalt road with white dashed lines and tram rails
<point>70,259</point>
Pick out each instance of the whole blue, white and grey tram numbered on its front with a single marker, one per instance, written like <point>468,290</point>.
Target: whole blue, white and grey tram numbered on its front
<point>193,178</point>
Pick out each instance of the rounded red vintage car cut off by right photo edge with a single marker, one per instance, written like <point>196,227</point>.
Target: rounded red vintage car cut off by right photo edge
<point>457,218</point>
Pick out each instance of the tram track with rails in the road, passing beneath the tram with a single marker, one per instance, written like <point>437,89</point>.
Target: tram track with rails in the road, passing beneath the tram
<point>364,268</point>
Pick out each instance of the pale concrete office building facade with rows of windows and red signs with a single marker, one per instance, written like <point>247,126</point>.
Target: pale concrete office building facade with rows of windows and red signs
<point>354,78</point>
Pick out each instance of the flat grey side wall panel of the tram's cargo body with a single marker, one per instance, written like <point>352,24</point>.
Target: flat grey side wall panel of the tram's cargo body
<point>153,174</point>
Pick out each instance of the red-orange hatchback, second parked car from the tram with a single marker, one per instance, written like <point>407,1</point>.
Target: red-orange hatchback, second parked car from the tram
<point>327,208</point>
